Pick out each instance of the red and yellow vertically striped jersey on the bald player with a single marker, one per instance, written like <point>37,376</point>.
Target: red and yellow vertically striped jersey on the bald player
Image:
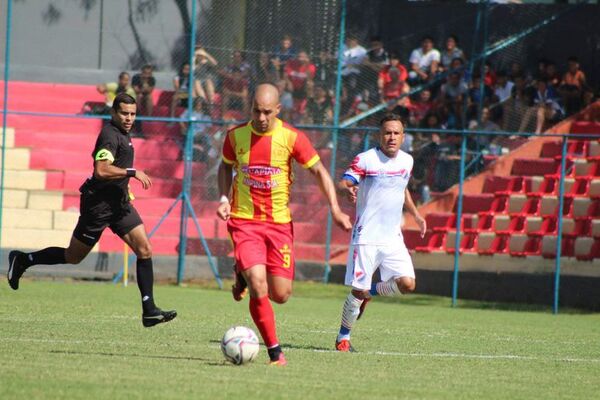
<point>262,162</point>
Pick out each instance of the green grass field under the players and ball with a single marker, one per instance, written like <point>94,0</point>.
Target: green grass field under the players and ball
<point>85,340</point>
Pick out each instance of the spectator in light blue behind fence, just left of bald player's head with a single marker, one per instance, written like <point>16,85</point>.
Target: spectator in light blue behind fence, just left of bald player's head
<point>204,148</point>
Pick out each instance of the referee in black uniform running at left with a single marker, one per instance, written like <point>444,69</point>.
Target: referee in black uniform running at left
<point>105,202</point>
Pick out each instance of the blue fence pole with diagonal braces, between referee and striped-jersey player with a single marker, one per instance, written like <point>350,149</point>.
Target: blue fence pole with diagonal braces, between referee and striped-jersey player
<point>189,139</point>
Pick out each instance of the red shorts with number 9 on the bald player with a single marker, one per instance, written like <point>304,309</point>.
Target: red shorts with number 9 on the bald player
<point>265,243</point>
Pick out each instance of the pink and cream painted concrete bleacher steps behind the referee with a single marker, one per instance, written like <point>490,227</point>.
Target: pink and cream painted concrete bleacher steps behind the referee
<point>48,158</point>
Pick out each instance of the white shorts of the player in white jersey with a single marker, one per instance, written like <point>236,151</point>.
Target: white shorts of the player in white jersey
<point>363,260</point>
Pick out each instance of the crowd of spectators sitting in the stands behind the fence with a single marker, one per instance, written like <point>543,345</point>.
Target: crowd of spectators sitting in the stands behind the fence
<point>432,90</point>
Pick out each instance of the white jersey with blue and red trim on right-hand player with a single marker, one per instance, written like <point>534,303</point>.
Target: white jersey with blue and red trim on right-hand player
<point>380,200</point>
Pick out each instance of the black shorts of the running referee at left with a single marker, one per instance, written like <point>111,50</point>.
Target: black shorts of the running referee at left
<point>97,213</point>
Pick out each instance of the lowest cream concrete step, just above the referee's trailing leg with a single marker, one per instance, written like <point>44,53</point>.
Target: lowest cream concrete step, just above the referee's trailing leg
<point>38,238</point>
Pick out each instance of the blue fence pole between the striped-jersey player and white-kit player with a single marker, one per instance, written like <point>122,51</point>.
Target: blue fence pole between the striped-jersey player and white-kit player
<point>334,136</point>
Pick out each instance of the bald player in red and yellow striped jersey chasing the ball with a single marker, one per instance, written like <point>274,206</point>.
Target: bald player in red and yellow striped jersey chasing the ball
<point>259,220</point>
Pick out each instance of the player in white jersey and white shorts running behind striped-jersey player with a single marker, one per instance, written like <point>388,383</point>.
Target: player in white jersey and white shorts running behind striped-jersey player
<point>377,182</point>
